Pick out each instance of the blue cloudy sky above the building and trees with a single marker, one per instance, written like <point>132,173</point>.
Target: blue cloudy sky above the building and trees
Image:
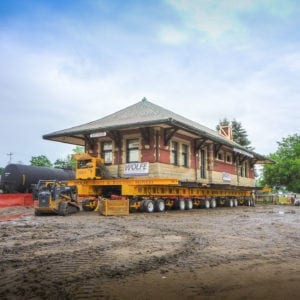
<point>64,63</point>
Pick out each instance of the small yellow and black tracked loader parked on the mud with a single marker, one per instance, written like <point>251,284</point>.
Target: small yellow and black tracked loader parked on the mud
<point>55,197</point>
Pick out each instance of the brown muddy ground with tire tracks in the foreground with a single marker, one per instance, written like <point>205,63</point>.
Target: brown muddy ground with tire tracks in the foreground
<point>223,253</point>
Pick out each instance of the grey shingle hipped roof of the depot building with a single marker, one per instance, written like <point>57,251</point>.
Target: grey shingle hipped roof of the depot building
<point>144,113</point>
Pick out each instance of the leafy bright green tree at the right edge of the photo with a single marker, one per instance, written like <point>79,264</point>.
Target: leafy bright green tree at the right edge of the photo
<point>286,171</point>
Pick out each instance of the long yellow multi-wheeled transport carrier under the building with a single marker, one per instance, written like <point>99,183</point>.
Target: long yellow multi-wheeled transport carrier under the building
<point>149,194</point>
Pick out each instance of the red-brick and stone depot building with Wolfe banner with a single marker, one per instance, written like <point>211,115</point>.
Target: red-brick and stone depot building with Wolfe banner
<point>148,140</point>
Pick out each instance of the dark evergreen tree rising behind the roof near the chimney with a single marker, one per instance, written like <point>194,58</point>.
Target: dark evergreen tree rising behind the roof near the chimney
<point>239,134</point>
